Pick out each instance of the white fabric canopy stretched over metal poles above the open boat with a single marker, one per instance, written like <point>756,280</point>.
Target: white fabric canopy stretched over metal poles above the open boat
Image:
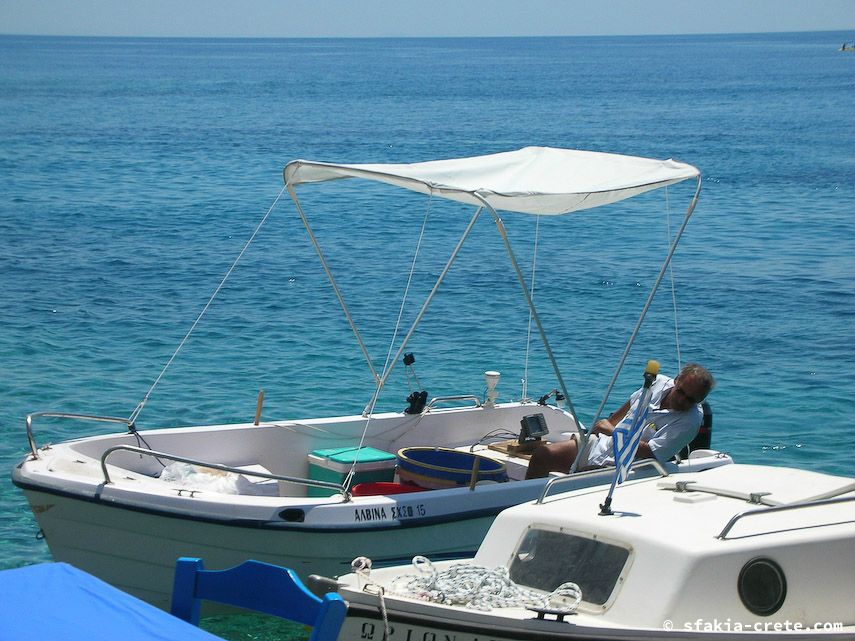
<point>532,180</point>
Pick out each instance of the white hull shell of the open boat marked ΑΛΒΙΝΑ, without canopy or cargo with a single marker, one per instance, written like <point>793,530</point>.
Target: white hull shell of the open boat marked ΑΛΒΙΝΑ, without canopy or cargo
<point>126,523</point>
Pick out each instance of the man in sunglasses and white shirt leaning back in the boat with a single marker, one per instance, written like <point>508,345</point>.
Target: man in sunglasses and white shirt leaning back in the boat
<point>674,419</point>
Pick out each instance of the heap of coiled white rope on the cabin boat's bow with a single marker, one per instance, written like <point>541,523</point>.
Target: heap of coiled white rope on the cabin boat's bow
<point>471,586</point>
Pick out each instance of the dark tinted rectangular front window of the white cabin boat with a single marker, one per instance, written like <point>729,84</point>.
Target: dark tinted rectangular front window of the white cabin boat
<point>545,559</point>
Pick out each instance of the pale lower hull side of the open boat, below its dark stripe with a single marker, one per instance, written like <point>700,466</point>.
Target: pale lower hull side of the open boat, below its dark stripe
<point>136,551</point>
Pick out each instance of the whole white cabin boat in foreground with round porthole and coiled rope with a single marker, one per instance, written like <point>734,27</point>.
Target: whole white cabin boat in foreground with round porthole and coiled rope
<point>737,552</point>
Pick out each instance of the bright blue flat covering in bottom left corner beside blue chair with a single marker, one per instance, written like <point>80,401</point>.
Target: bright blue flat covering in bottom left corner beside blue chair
<point>58,601</point>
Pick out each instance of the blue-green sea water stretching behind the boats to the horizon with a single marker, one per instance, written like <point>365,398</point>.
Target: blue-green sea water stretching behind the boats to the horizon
<point>133,171</point>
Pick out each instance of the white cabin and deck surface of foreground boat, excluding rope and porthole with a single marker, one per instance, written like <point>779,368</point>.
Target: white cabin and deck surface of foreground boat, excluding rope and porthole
<point>683,558</point>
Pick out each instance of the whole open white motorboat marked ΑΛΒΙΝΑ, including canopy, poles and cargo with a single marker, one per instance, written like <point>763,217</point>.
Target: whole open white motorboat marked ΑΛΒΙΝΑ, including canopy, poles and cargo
<point>313,493</point>
